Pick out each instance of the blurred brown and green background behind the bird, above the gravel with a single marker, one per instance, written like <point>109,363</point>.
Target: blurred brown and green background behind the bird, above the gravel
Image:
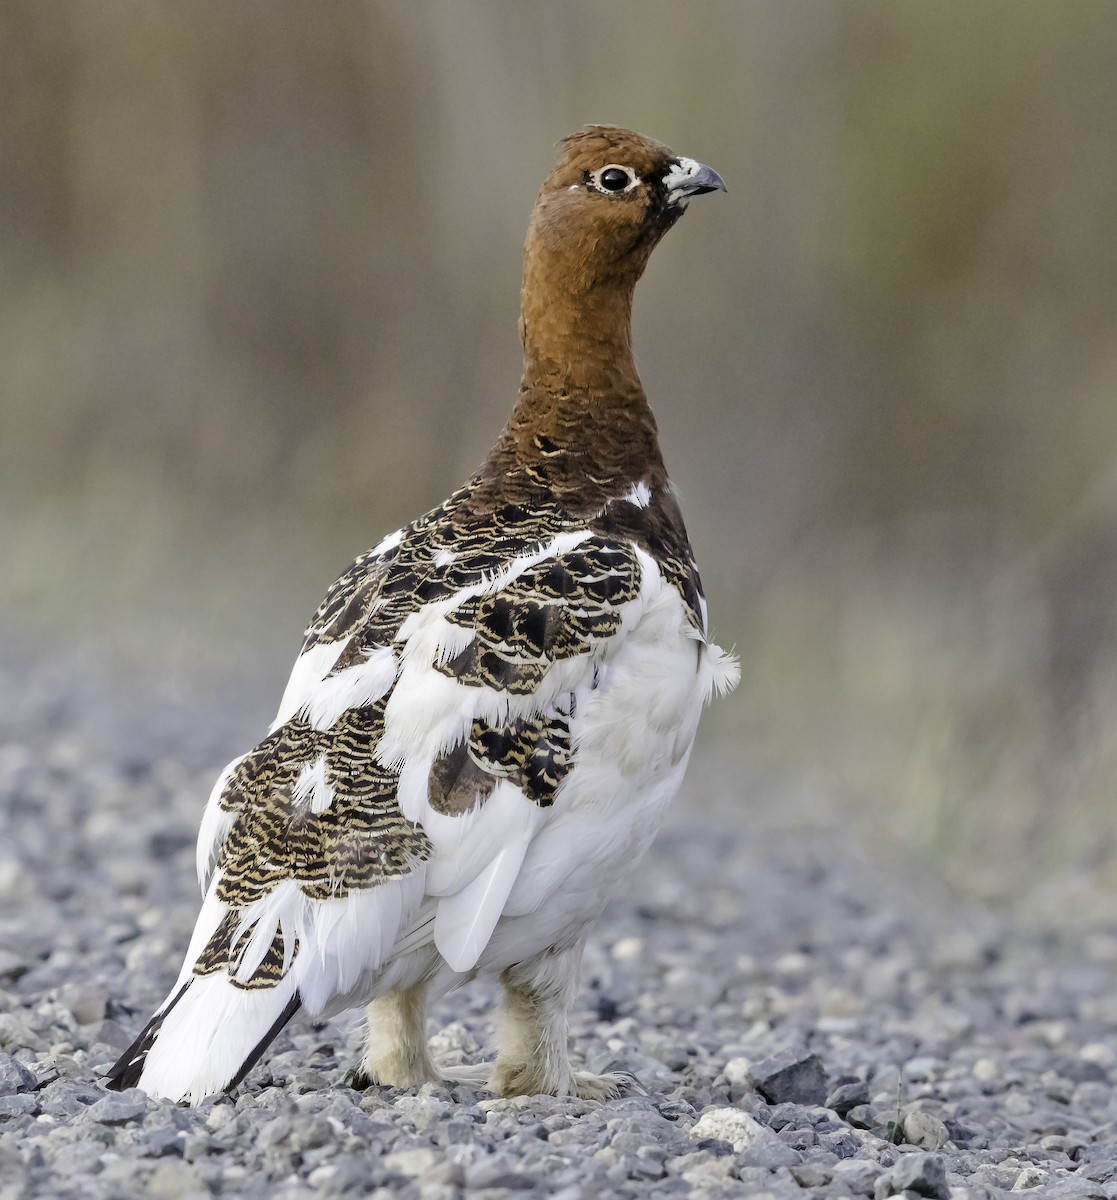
<point>259,292</point>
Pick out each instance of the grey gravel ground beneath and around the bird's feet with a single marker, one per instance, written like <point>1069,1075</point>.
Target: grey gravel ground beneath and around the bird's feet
<point>802,1022</point>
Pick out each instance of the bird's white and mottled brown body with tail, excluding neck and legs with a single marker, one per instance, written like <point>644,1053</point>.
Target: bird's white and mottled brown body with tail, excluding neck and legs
<point>481,710</point>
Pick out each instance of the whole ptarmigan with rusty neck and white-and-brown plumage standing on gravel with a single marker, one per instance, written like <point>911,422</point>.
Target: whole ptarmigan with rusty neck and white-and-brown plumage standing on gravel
<point>491,711</point>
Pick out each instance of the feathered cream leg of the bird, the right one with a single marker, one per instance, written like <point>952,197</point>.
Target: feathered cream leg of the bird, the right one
<point>533,1058</point>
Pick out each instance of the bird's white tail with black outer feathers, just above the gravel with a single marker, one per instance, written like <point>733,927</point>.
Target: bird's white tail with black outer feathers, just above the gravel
<point>206,1039</point>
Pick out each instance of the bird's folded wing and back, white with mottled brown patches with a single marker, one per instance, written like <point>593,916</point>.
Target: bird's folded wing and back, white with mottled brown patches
<point>421,746</point>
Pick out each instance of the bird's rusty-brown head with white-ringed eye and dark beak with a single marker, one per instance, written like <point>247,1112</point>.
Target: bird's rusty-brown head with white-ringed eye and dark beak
<point>611,197</point>
